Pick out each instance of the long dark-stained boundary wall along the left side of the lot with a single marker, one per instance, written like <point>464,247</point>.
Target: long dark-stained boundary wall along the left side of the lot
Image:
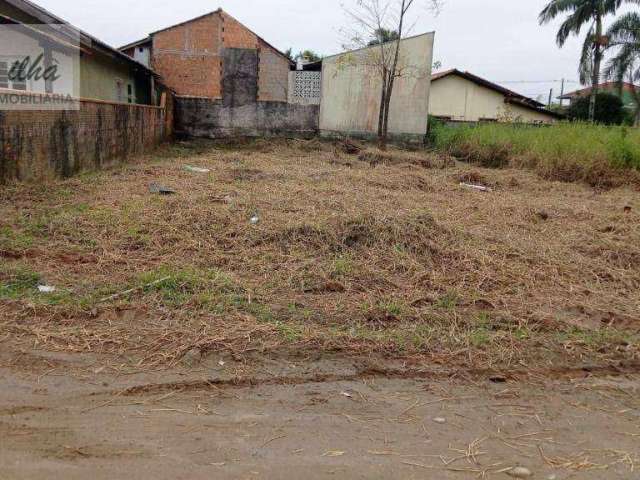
<point>44,144</point>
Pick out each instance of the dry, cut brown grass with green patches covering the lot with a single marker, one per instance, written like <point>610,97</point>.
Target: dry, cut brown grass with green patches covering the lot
<point>397,259</point>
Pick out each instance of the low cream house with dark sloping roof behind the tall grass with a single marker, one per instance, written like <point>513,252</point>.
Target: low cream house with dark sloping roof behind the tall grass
<point>463,97</point>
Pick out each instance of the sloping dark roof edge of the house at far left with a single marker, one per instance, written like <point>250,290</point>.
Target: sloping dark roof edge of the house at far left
<point>66,29</point>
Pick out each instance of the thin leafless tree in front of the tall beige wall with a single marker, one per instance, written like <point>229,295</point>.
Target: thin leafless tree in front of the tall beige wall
<point>369,18</point>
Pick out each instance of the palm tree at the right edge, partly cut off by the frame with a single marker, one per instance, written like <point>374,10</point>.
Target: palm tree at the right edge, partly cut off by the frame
<point>624,35</point>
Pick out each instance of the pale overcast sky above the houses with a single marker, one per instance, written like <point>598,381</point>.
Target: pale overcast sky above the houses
<point>496,39</point>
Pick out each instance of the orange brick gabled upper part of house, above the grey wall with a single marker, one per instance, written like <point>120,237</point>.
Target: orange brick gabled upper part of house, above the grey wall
<point>216,57</point>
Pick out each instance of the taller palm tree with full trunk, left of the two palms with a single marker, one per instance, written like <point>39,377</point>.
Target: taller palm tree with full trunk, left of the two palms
<point>581,13</point>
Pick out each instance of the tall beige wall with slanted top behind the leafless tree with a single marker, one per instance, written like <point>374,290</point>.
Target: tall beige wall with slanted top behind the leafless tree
<point>351,91</point>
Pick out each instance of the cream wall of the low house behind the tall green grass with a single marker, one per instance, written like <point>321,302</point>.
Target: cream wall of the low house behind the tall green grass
<point>463,100</point>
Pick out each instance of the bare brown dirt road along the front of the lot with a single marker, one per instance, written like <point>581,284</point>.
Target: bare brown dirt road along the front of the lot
<point>65,417</point>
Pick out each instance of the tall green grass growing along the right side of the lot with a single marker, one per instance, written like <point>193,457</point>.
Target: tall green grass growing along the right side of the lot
<point>599,155</point>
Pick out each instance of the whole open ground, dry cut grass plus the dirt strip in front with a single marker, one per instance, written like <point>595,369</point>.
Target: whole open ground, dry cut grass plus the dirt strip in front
<point>310,272</point>
